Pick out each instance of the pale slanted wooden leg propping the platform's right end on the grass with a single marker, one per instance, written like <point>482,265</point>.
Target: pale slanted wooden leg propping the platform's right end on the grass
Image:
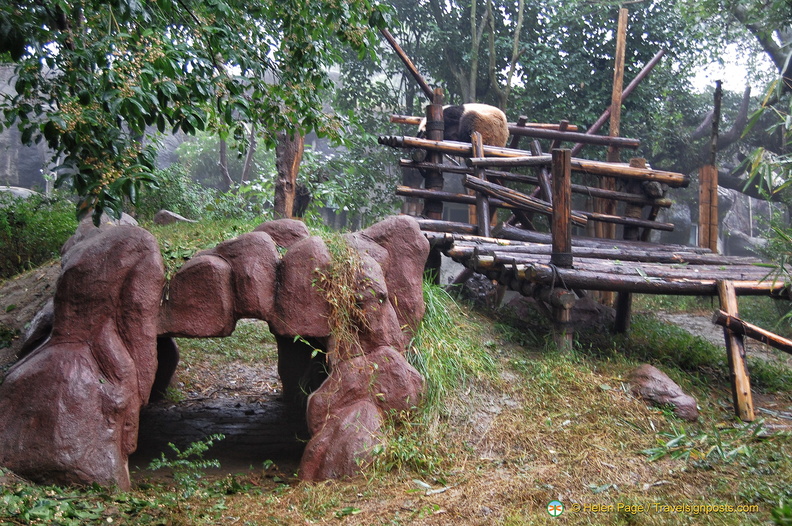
<point>735,349</point>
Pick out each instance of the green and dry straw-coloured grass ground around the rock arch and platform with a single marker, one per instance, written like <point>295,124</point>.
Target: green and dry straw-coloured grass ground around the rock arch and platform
<point>507,424</point>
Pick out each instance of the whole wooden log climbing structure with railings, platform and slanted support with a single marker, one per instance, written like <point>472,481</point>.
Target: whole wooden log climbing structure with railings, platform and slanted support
<point>573,250</point>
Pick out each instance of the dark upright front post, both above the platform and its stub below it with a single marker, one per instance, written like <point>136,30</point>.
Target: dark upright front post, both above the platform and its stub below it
<point>561,233</point>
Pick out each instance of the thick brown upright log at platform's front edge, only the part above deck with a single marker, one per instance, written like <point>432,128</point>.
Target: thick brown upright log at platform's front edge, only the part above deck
<point>561,224</point>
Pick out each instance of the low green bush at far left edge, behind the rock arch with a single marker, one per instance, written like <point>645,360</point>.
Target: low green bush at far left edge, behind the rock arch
<point>32,231</point>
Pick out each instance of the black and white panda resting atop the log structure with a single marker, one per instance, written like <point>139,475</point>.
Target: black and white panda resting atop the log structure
<point>462,121</point>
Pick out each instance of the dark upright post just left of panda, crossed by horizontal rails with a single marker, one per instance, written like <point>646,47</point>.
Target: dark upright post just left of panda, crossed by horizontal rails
<point>433,179</point>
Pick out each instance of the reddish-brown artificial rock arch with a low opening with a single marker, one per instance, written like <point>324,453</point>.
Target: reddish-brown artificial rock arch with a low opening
<point>69,410</point>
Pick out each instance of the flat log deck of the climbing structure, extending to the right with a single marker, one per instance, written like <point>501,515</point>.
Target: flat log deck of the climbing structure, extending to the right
<point>612,265</point>
